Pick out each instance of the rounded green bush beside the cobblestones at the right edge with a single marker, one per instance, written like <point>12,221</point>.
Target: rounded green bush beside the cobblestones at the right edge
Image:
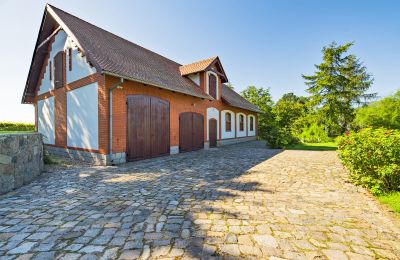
<point>372,157</point>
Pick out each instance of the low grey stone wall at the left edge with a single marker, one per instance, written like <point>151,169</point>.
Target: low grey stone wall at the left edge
<point>21,160</point>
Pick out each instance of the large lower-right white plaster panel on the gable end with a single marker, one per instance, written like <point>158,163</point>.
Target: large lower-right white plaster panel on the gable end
<point>82,117</point>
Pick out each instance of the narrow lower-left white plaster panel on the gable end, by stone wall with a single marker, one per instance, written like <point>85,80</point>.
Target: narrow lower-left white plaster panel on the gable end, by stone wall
<point>45,108</point>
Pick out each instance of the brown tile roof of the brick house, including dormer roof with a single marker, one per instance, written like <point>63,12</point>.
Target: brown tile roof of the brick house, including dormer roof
<point>113,55</point>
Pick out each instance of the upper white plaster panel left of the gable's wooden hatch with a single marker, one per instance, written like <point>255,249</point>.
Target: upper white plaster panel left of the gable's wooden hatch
<point>57,46</point>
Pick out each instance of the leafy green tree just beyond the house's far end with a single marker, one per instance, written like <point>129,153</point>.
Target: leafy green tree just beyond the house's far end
<point>262,98</point>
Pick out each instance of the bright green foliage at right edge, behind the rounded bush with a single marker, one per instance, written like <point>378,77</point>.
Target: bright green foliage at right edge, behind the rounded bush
<point>381,113</point>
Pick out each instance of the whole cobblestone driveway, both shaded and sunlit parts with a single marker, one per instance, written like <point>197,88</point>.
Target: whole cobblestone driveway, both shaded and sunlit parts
<point>241,201</point>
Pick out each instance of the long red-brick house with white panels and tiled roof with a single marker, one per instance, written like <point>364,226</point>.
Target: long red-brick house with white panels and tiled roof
<point>102,98</point>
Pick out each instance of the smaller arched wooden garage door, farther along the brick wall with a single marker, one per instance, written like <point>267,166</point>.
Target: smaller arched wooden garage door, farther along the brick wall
<point>191,131</point>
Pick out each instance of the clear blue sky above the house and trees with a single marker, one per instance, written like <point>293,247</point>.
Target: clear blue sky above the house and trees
<point>261,43</point>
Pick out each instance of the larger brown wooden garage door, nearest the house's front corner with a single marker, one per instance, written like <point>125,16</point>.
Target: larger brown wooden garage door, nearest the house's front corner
<point>147,127</point>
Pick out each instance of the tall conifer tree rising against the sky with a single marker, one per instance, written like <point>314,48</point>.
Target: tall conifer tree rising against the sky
<point>339,84</point>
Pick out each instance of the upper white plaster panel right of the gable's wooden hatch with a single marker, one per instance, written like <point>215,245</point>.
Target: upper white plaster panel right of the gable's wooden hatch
<point>80,66</point>
